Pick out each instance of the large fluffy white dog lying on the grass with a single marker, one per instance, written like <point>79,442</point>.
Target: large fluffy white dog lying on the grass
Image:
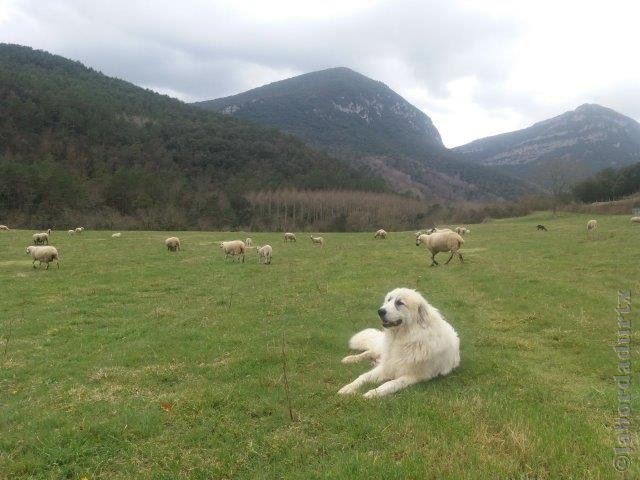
<point>416,345</point>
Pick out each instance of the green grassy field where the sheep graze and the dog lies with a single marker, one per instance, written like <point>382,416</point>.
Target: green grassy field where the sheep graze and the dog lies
<point>131,362</point>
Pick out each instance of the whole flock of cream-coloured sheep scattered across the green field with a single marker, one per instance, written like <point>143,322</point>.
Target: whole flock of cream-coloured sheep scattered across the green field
<point>435,240</point>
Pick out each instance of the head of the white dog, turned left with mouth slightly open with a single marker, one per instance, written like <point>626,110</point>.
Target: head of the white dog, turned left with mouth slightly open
<point>403,307</point>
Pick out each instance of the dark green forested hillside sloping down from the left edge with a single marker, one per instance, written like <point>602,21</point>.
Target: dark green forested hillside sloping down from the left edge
<point>76,145</point>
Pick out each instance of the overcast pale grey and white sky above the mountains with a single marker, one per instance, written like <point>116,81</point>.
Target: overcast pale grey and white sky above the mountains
<point>477,68</point>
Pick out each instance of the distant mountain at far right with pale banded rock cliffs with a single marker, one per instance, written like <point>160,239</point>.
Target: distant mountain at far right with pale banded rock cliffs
<point>591,138</point>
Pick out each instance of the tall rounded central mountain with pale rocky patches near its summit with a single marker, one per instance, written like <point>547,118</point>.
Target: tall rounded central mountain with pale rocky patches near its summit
<point>363,120</point>
